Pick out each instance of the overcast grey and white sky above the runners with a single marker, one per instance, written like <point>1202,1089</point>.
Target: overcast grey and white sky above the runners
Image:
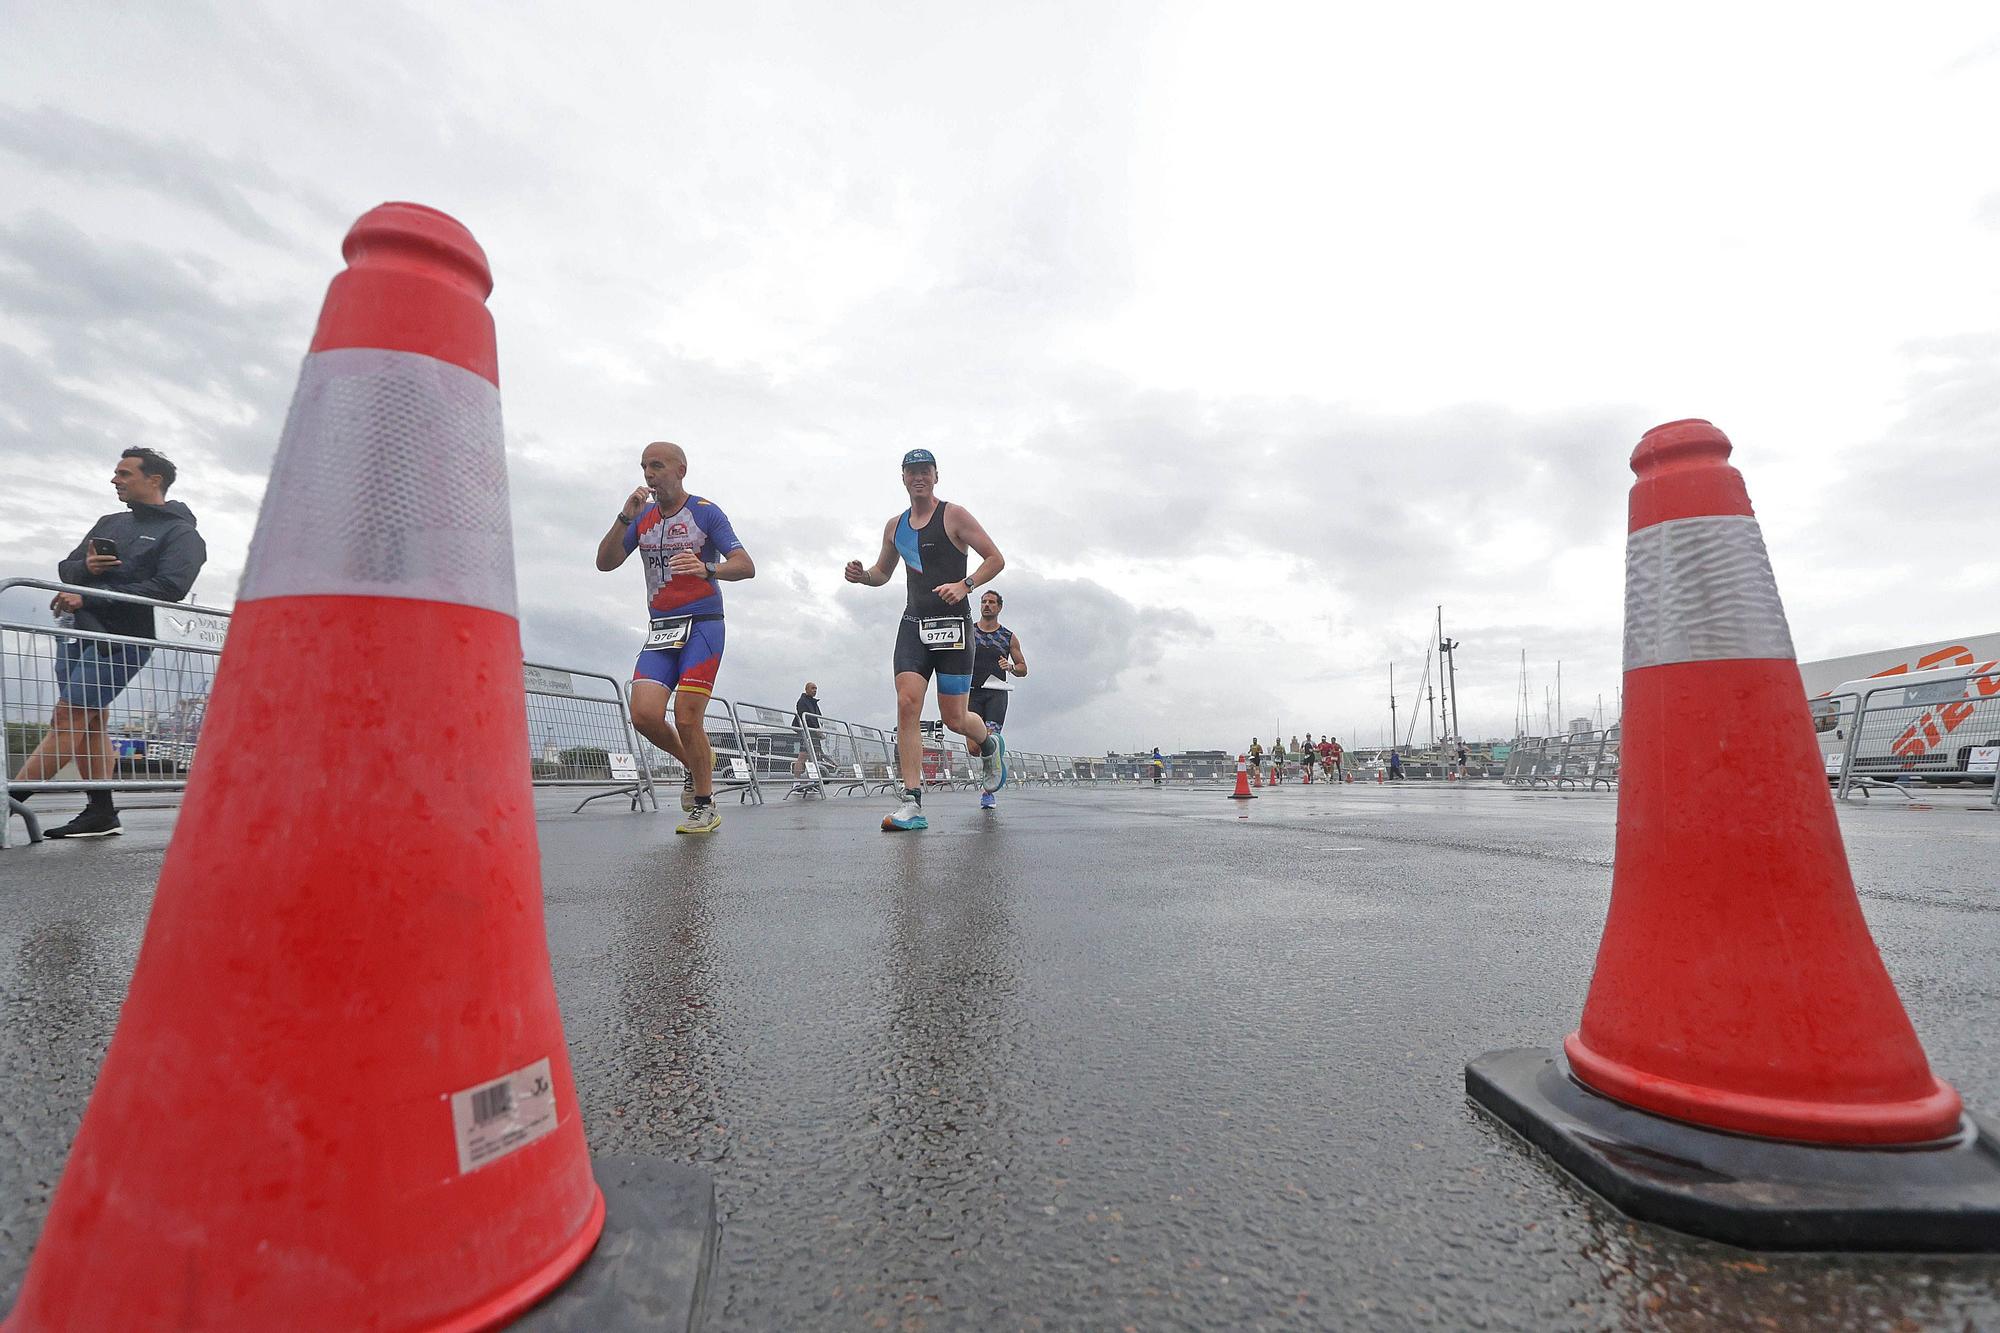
<point>1251,333</point>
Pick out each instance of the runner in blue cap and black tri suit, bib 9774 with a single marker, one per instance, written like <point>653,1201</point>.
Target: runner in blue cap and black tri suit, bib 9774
<point>935,635</point>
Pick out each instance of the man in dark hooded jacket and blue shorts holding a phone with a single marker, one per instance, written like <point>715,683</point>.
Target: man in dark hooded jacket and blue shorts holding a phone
<point>149,549</point>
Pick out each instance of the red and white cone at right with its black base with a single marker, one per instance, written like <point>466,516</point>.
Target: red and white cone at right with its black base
<point>1745,1068</point>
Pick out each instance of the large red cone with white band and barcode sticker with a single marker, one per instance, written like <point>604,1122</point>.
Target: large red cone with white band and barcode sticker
<point>339,1094</point>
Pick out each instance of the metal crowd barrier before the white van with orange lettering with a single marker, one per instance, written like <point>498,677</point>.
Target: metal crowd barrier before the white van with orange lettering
<point>1937,734</point>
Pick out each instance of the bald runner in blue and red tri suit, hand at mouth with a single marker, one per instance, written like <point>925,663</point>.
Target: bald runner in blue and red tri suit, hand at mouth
<point>689,547</point>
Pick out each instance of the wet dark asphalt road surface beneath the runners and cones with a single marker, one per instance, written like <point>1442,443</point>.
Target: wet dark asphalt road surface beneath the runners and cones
<point>1105,1060</point>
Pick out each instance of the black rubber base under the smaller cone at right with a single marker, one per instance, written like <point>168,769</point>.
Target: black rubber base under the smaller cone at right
<point>1759,1194</point>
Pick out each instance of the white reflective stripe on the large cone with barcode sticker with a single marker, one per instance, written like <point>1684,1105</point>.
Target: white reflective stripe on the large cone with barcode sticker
<point>391,481</point>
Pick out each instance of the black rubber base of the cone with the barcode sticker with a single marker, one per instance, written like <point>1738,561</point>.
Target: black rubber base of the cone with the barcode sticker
<point>651,1266</point>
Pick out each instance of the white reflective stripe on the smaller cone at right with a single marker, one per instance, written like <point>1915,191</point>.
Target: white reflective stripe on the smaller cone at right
<point>1701,591</point>
